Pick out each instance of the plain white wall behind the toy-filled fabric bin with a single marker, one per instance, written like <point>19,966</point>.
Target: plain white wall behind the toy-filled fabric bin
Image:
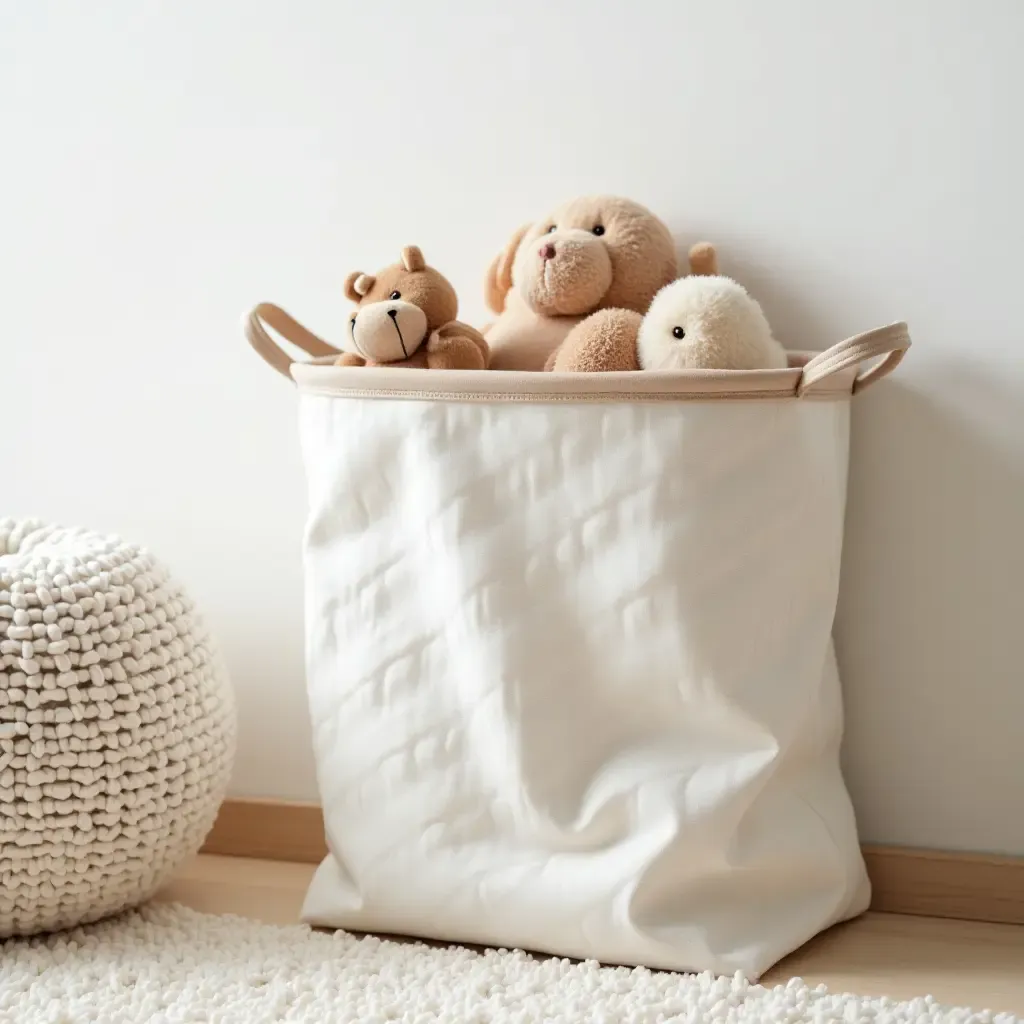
<point>165,166</point>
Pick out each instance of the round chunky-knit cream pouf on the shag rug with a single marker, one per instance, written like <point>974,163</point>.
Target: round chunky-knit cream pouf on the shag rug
<point>117,728</point>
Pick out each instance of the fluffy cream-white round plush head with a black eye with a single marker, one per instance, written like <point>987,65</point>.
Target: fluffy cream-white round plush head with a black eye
<point>707,324</point>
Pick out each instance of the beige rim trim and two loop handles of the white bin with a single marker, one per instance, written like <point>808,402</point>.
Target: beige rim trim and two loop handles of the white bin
<point>830,375</point>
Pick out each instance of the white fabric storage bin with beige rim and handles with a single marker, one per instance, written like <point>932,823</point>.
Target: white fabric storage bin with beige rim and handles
<point>570,649</point>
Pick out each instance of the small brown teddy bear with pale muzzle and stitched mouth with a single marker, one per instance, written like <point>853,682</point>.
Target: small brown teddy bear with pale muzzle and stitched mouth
<point>406,317</point>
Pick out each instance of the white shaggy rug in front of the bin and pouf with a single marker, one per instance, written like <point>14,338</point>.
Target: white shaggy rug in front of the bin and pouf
<point>168,964</point>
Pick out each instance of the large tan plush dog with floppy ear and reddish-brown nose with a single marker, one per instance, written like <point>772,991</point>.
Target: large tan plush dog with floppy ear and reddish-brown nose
<point>590,254</point>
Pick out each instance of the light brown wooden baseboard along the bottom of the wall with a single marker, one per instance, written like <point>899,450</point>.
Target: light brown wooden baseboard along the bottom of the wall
<point>924,883</point>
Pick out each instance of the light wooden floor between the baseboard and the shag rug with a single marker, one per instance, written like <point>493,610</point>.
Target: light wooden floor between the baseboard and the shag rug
<point>959,963</point>
